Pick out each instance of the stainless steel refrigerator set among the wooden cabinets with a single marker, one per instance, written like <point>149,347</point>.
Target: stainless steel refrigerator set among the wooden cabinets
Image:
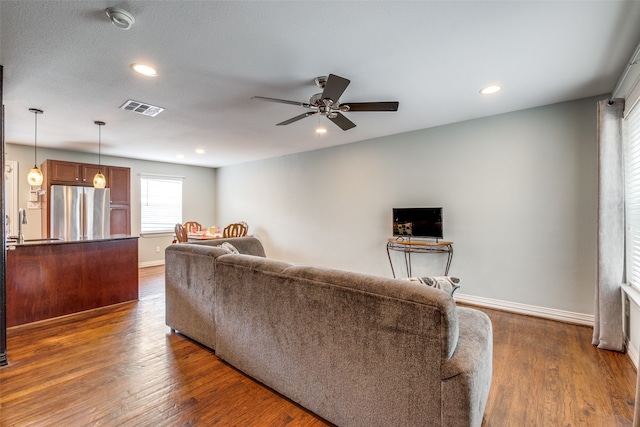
<point>80,213</point>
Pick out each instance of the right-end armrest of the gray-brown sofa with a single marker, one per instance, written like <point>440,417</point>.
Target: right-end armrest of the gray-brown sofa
<point>466,377</point>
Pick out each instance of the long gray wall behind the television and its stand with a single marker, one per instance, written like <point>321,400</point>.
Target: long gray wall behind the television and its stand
<point>518,191</point>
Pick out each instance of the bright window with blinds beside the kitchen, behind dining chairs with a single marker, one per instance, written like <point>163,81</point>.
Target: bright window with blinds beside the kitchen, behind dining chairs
<point>160,203</point>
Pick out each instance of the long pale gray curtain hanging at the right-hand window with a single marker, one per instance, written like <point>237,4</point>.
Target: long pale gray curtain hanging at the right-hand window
<point>607,328</point>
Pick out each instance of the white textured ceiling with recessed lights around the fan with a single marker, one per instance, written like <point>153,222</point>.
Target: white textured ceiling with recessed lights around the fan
<point>66,58</point>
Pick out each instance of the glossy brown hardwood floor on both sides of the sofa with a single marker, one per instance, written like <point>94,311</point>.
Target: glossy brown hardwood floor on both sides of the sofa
<point>121,366</point>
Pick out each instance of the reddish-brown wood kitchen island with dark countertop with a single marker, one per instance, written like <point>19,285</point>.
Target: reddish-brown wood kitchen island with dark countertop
<point>49,278</point>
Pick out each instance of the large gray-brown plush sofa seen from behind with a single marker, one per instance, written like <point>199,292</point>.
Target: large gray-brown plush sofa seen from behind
<point>357,350</point>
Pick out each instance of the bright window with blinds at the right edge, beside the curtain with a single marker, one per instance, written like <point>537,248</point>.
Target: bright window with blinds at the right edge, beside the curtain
<point>631,141</point>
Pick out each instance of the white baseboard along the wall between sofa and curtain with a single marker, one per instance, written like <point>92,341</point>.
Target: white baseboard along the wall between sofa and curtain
<point>530,310</point>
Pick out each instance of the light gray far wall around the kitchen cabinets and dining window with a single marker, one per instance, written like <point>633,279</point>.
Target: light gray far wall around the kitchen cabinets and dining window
<point>198,192</point>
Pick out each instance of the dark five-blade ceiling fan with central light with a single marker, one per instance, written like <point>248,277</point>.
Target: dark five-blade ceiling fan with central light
<point>327,103</point>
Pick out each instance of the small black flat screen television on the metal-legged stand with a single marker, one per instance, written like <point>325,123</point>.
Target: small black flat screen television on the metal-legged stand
<point>418,222</point>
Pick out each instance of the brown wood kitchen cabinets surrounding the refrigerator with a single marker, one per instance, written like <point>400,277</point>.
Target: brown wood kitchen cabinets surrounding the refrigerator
<point>60,172</point>
